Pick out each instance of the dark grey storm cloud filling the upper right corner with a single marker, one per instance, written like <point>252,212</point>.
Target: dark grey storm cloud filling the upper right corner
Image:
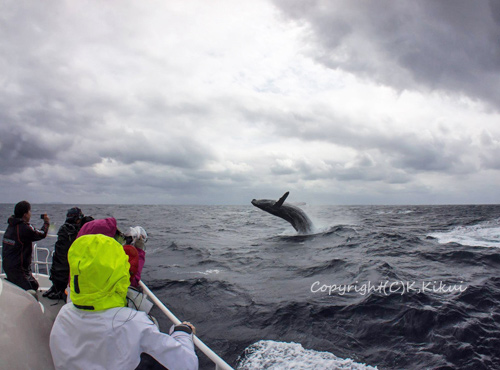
<point>447,45</point>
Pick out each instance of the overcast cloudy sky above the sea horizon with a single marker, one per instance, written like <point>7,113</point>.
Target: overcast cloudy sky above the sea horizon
<point>220,102</point>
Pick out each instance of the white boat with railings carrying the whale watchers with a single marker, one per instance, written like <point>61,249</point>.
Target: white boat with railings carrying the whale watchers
<point>26,321</point>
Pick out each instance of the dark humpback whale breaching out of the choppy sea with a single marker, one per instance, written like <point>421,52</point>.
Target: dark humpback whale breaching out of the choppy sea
<point>286,211</point>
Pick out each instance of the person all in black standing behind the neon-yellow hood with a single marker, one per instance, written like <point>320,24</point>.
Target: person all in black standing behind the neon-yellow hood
<point>59,272</point>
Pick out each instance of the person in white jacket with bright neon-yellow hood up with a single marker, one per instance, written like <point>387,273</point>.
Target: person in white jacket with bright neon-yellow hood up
<point>96,330</point>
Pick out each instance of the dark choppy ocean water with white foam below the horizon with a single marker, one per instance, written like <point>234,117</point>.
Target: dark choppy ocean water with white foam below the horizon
<point>387,287</point>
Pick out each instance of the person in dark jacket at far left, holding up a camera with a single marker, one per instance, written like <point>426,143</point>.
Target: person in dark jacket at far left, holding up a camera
<point>17,246</point>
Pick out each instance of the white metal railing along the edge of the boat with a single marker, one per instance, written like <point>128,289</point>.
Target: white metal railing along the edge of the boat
<point>220,364</point>
